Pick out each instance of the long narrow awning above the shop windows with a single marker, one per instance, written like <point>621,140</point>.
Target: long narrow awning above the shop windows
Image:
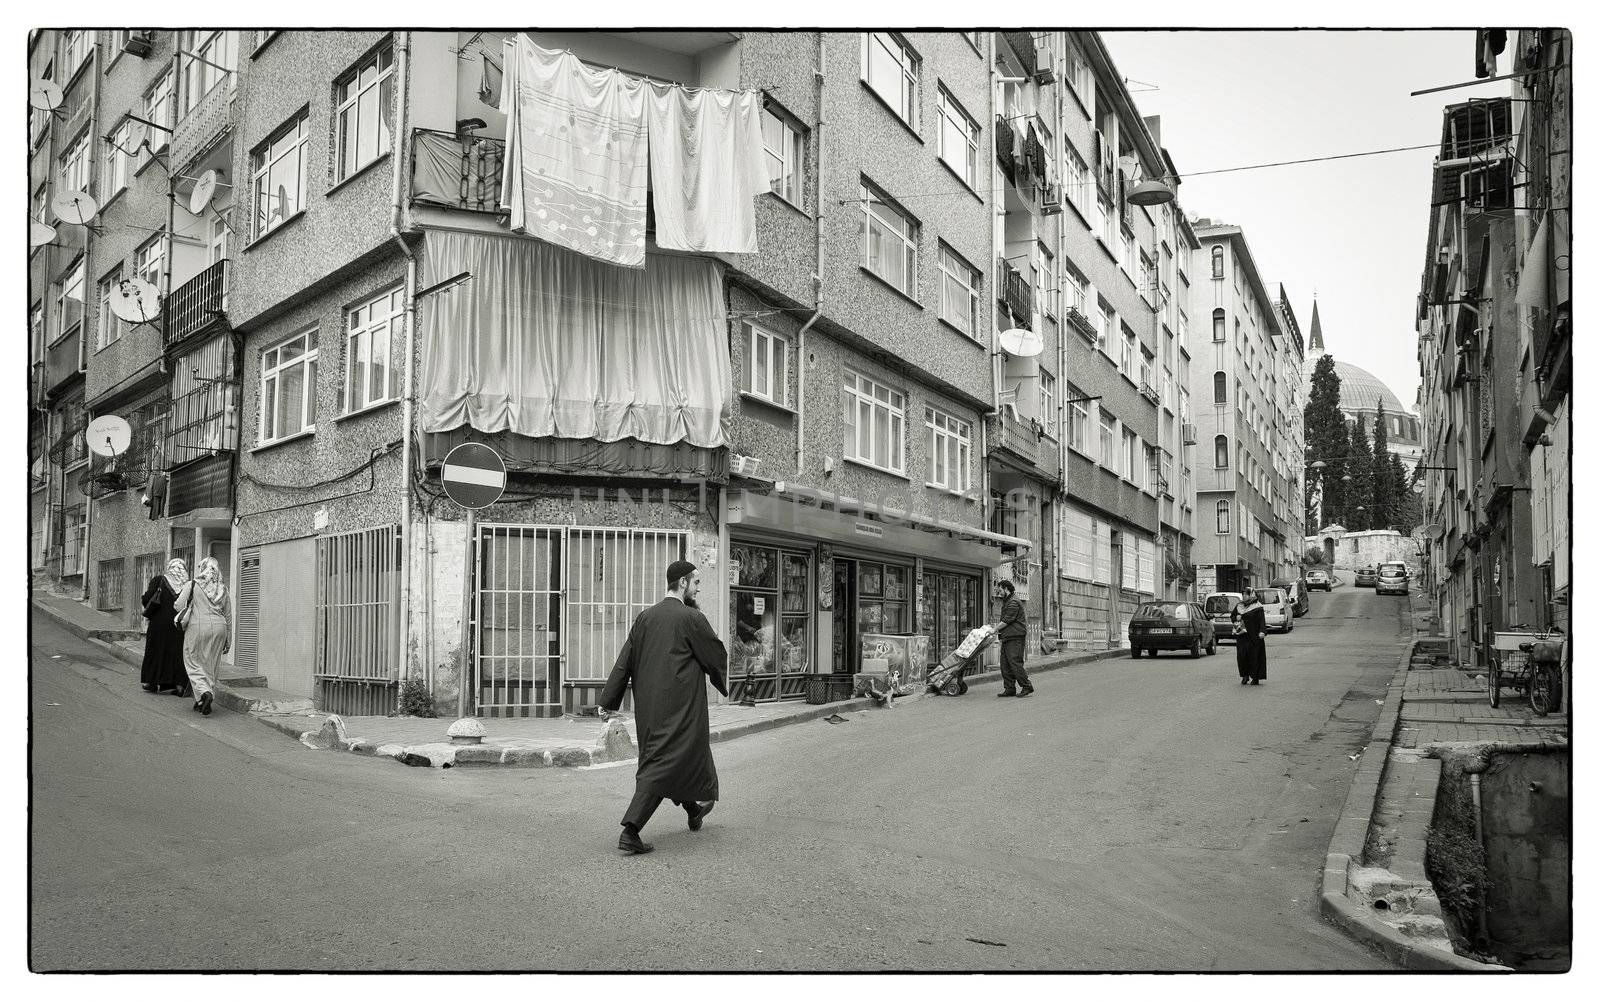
<point>846,521</point>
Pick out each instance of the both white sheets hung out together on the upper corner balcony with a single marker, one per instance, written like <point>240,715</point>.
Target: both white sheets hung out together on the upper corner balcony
<point>578,145</point>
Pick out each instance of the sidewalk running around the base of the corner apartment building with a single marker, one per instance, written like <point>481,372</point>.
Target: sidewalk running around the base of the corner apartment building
<point>521,742</point>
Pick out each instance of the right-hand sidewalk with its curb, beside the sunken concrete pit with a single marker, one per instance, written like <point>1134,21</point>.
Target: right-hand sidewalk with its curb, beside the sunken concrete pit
<point>1375,883</point>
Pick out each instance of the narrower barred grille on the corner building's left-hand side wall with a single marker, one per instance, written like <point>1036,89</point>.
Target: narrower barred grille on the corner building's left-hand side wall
<point>358,620</point>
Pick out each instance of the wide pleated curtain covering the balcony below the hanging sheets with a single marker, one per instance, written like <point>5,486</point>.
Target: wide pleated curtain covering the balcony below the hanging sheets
<point>551,343</point>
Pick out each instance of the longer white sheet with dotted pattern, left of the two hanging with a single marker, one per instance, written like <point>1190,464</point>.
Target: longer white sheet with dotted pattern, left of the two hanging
<point>577,153</point>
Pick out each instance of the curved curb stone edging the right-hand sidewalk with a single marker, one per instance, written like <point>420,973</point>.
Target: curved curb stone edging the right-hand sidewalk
<point>1350,843</point>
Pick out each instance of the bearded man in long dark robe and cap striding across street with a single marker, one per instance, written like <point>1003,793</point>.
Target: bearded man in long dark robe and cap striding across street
<point>668,655</point>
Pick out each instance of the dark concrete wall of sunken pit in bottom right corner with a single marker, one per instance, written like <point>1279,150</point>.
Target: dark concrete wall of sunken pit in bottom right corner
<point>1527,836</point>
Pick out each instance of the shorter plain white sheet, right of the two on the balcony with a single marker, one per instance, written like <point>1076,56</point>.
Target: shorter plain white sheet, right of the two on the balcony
<point>706,167</point>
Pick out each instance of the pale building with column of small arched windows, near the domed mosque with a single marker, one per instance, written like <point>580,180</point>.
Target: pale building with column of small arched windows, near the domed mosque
<point>1242,508</point>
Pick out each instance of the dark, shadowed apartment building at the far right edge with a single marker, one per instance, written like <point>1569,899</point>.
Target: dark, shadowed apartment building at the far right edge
<point>1494,351</point>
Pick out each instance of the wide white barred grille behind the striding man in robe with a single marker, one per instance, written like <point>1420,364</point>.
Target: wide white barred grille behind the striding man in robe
<point>554,606</point>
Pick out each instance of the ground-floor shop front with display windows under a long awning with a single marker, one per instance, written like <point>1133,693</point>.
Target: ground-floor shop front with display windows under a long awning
<point>814,591</point>
